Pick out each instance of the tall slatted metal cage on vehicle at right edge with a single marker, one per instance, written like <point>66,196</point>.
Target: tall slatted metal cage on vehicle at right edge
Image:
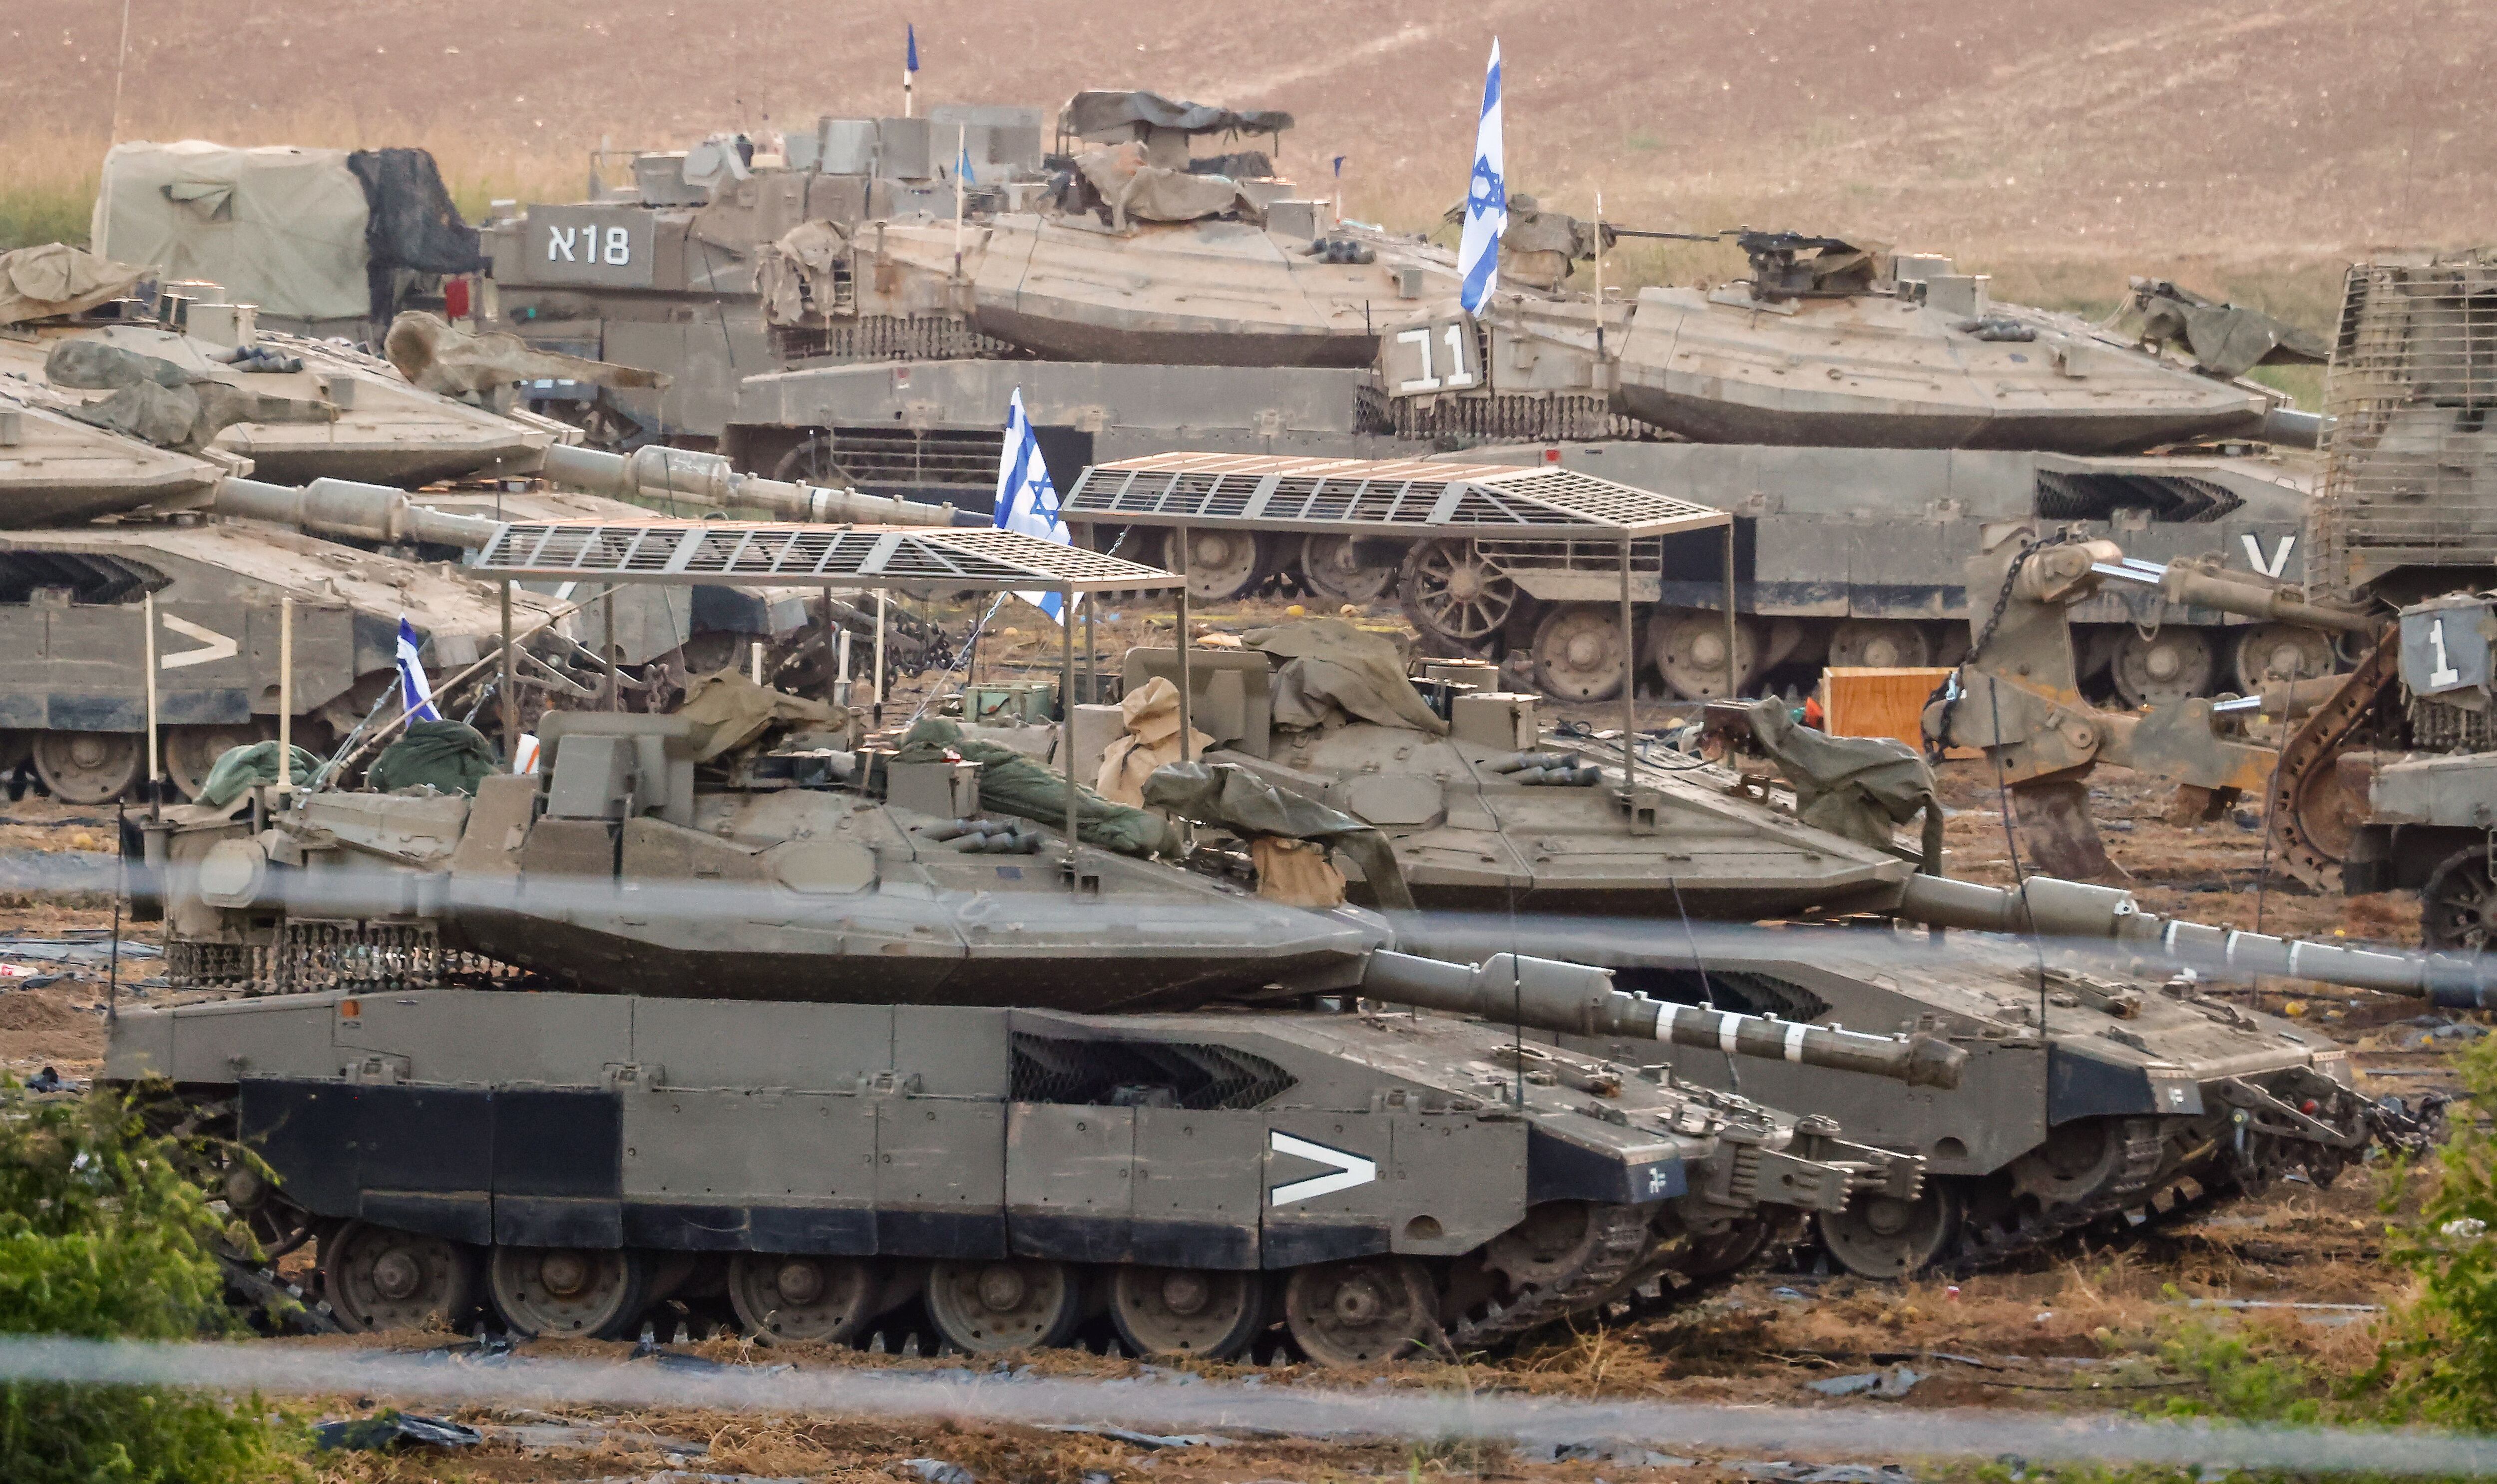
<point>2411,473</point>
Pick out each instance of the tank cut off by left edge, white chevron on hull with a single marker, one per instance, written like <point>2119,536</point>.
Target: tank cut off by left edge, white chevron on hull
<point>106,531</point>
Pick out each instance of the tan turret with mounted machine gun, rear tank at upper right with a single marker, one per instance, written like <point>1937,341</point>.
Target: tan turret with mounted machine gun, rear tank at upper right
<point>1839,346</point>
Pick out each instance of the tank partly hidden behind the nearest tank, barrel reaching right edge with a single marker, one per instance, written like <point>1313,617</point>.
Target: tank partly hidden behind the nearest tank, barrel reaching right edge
<point>2109,1078</point>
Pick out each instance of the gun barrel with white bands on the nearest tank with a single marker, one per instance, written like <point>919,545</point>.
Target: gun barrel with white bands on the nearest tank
<point>1582,1001</point>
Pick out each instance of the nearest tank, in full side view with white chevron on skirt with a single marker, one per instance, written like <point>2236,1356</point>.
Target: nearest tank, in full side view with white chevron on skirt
<point>815,1033</point>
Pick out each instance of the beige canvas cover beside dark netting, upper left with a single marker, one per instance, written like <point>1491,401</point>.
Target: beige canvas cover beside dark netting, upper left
<point>281,229</point>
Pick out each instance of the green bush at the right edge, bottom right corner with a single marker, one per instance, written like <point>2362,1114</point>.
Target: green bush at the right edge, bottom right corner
<point>2441,1350</point>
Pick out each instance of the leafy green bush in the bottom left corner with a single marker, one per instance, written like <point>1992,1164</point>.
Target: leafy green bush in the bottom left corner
<point>104,1235</point>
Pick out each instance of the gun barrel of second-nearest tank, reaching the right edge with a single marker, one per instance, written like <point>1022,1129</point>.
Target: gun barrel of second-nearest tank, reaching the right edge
<point>2056,908</point>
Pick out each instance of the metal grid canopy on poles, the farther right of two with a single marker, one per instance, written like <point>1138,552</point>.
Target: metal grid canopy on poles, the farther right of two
<point>1375,498</point>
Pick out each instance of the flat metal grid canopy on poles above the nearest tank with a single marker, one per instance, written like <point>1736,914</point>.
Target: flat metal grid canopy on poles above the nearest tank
<point>815,556</point>
